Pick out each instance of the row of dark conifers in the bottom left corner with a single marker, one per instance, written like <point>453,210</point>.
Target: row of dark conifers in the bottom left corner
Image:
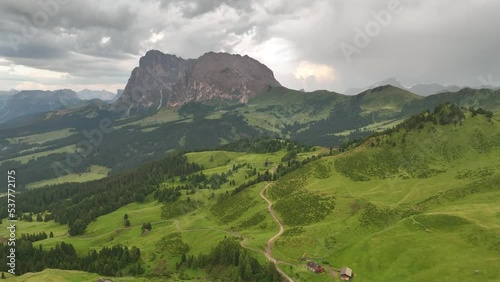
<point>108,261</point>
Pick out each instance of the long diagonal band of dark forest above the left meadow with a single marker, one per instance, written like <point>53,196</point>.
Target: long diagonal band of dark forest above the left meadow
<point>77,204</point>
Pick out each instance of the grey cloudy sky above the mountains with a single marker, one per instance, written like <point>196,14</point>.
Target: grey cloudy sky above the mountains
<point>311,44</point>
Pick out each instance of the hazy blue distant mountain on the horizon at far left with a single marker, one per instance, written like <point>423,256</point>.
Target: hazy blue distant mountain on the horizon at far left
<point>37,101</point>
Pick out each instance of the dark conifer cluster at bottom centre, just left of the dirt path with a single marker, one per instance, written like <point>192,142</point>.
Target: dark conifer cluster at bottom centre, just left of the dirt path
<point>228,254</point>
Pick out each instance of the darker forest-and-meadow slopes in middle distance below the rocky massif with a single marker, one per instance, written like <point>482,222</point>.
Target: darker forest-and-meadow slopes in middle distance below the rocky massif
<point>318,118</point>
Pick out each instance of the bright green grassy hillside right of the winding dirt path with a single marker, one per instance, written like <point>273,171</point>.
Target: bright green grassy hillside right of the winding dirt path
<point>405,223</point>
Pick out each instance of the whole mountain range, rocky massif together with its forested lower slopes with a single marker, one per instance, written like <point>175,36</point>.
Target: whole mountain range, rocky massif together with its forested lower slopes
<point>171,103</point>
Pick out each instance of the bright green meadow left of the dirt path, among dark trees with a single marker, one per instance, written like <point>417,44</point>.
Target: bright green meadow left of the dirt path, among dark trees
<point>210,219</point>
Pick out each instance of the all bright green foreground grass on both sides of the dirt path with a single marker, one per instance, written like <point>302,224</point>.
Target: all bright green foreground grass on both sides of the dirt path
<point>395,226</point>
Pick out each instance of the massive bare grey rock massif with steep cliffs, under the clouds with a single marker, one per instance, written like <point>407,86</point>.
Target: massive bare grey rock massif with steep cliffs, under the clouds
<point>167,80</point>
